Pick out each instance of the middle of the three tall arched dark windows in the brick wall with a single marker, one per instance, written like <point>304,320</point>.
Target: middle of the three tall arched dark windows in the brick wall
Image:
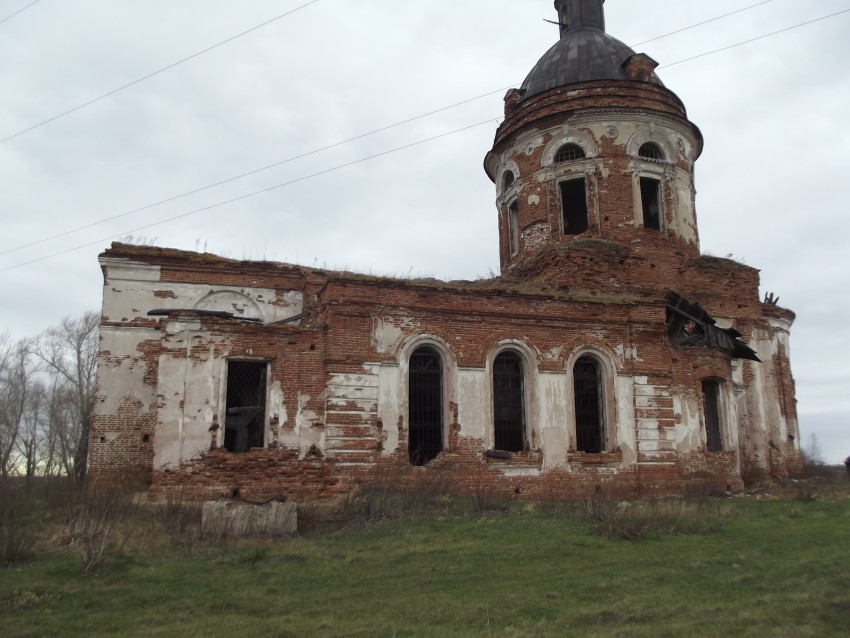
<point>508,404</point>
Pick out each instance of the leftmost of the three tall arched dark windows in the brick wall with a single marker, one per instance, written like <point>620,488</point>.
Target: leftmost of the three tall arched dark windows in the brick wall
<point>425,439</point>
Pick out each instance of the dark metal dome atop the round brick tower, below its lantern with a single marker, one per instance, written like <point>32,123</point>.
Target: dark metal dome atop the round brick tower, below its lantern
<point>581,55</point>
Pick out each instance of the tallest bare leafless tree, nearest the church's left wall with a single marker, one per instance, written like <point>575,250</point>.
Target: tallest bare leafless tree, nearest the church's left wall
<point>70,351</point>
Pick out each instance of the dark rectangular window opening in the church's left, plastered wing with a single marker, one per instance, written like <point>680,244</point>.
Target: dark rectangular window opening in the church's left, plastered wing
<point>245,418</point>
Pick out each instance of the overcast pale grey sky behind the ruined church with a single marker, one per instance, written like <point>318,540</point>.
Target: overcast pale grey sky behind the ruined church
<point>772,182</point>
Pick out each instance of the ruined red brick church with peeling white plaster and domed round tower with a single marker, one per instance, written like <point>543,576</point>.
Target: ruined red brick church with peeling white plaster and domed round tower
<point>609,352</point>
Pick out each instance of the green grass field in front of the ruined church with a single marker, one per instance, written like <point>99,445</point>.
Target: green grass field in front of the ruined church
<point>776,568</point>
